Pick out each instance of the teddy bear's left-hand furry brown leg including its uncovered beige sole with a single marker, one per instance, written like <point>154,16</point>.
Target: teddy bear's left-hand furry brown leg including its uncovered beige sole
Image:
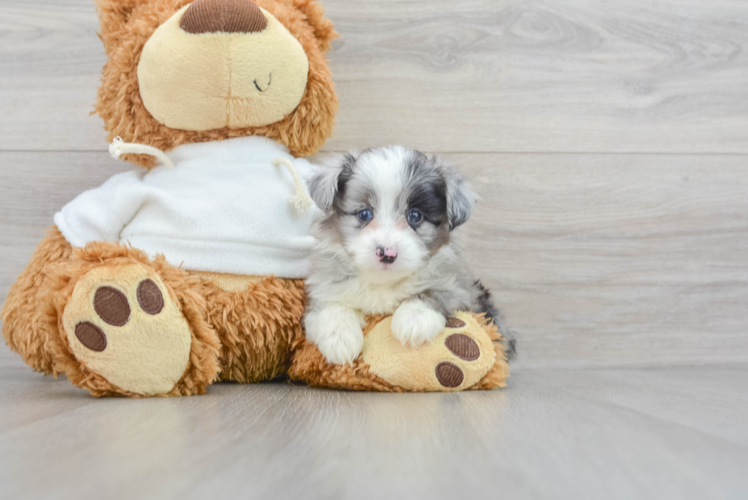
<point>133,326</point>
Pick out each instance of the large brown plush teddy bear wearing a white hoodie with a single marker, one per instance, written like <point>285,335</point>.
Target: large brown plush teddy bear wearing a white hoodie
<point>190,268</point>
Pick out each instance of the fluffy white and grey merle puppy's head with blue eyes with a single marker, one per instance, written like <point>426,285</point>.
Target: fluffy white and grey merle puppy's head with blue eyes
<point>392,208</point>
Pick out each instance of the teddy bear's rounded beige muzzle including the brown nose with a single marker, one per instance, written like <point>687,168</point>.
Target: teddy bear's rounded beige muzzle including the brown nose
<point>222,64</point>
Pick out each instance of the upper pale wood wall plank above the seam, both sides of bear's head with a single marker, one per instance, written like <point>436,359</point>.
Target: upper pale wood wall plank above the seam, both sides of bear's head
<point>475,75</point>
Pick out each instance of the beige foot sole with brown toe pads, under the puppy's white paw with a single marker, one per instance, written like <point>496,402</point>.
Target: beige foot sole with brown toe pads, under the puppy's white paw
<point>457,358</point>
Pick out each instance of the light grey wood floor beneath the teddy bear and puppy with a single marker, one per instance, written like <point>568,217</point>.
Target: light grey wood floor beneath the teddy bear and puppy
<point>551,434</point>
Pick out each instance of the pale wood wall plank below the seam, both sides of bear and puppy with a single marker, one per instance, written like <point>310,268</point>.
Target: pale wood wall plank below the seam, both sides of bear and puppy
<point>597,260</point>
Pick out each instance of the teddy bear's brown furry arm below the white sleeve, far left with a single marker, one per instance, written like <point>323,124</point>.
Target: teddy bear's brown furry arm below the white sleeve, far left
<point>29,314</point>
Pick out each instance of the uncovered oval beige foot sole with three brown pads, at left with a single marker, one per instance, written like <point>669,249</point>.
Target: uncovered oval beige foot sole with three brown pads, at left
<point>122,324</point>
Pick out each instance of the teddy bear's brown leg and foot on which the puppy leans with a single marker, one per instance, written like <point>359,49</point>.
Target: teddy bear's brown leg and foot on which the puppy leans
<point>466,355</point>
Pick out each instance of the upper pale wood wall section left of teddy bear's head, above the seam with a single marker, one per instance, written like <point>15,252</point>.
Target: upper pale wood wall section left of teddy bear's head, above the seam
<point>50,66</point>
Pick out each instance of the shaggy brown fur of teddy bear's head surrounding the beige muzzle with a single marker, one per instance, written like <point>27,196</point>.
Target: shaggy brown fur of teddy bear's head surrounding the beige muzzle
<point>126,25</point>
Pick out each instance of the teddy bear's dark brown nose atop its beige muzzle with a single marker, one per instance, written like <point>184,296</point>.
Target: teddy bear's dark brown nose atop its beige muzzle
<point>223,16</point>
